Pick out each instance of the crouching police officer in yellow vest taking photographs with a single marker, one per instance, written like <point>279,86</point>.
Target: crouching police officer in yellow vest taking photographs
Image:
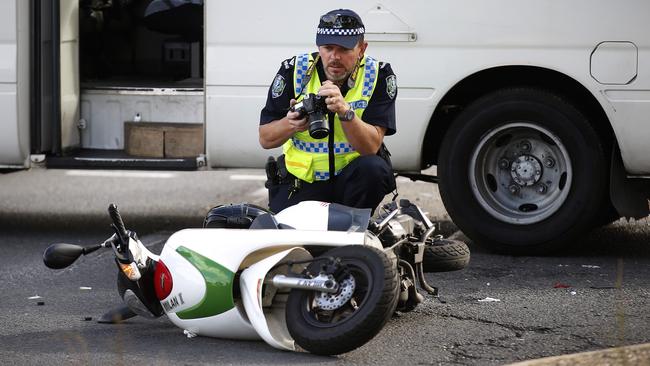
<point>350,166</point>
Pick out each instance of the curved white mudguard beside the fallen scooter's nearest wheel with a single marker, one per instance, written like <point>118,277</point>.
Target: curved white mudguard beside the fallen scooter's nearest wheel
<point>265,303</point>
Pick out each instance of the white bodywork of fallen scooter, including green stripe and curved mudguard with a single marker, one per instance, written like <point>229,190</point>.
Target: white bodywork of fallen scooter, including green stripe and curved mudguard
<point>203,263</point>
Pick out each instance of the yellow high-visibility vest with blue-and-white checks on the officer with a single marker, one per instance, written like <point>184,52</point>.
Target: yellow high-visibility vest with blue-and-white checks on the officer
<point>308,158</point>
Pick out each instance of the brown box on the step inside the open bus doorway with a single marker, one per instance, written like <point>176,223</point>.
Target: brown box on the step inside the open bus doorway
<point>163,140</point>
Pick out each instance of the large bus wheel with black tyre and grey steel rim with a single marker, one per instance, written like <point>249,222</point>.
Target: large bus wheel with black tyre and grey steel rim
<point>522,171</point>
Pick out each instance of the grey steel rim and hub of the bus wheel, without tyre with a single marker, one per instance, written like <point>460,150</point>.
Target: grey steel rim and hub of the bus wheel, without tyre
<point>519,173</point>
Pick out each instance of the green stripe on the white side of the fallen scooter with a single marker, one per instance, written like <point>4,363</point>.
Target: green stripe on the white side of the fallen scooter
<point>218,286</point>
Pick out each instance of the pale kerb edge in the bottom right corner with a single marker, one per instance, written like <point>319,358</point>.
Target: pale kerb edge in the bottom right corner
<point>629,355</point>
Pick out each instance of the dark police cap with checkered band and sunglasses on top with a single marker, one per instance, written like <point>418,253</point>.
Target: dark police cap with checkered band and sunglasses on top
<point>341,27</point>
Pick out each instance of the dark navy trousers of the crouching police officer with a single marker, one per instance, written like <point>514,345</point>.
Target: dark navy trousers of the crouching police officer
<point>362,184</point>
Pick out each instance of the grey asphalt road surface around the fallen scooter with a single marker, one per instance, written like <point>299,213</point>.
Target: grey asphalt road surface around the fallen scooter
<point>584,299</point>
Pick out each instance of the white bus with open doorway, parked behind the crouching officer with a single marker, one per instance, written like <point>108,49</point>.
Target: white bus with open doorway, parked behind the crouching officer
<point>536,112</point>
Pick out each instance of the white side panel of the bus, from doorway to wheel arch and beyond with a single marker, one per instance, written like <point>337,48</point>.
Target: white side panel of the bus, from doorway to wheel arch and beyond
<point>454,39</point>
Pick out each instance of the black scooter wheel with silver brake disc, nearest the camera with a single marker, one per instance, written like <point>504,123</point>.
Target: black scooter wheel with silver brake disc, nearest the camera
<point>331,324</point>
